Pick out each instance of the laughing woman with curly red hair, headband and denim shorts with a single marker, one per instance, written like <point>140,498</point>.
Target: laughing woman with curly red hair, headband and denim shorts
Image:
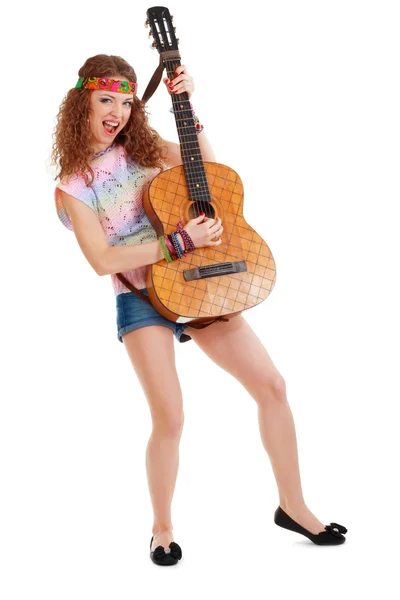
<point>108,154</point>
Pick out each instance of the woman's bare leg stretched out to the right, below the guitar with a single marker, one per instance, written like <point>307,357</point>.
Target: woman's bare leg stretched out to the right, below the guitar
<point>235,347</point>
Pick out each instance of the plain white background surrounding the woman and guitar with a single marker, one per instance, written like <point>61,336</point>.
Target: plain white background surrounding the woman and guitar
<point>302,100</point>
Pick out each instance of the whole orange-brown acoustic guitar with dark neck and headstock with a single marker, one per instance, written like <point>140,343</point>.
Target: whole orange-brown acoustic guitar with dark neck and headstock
<point>213,282</point>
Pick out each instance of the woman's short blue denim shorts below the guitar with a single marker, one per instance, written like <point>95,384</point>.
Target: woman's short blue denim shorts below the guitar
<point>133,313</point>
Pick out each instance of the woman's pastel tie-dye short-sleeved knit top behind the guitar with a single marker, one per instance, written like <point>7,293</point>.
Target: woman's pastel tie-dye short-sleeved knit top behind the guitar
<point>115,195</point>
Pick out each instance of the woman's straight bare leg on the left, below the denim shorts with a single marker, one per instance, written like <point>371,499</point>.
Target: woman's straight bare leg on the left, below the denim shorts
<point>151,351</point>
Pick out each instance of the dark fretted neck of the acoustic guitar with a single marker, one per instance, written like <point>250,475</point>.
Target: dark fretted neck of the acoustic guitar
<point>188,138</point>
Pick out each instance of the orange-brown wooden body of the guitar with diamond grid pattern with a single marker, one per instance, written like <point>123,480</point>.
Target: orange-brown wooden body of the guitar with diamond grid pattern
<point>213,281</point>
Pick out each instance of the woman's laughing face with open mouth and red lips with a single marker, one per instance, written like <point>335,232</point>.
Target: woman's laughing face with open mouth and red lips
<point>108,114</point>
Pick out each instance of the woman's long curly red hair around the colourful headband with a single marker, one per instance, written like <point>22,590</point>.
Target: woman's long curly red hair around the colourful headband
<point>71,149</point>
